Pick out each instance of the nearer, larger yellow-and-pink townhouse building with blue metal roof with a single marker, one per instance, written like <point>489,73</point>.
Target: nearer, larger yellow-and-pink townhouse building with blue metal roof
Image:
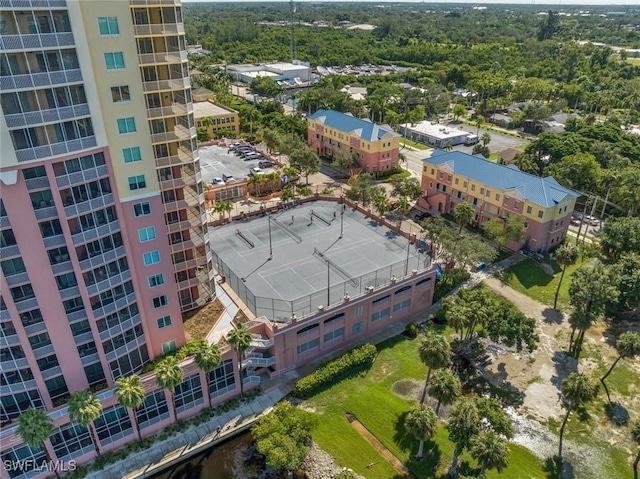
<point>497,191</point>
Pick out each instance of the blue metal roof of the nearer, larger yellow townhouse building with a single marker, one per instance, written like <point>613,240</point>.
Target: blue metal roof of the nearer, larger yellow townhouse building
<point>546,192</point>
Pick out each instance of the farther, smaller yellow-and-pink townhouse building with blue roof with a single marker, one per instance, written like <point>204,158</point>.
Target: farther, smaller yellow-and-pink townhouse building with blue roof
<point>375,148</point>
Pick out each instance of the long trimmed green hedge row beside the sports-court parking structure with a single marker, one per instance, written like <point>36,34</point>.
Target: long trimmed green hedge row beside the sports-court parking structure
<point>335,369</point>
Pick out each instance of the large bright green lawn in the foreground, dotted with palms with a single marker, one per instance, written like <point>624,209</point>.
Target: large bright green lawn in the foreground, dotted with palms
<point>370,398</point>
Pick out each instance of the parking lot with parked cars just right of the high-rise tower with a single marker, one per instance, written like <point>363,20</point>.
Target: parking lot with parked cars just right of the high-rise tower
<point>216,161</point>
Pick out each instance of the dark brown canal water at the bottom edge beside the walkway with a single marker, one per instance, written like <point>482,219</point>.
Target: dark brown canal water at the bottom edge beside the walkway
<point>223,461</point>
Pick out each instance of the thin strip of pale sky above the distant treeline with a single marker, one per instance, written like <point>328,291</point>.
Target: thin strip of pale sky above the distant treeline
<point>611,4</point>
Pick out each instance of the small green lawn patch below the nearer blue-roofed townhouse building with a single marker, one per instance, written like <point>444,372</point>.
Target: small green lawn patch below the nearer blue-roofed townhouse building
<point>529,278</point>
